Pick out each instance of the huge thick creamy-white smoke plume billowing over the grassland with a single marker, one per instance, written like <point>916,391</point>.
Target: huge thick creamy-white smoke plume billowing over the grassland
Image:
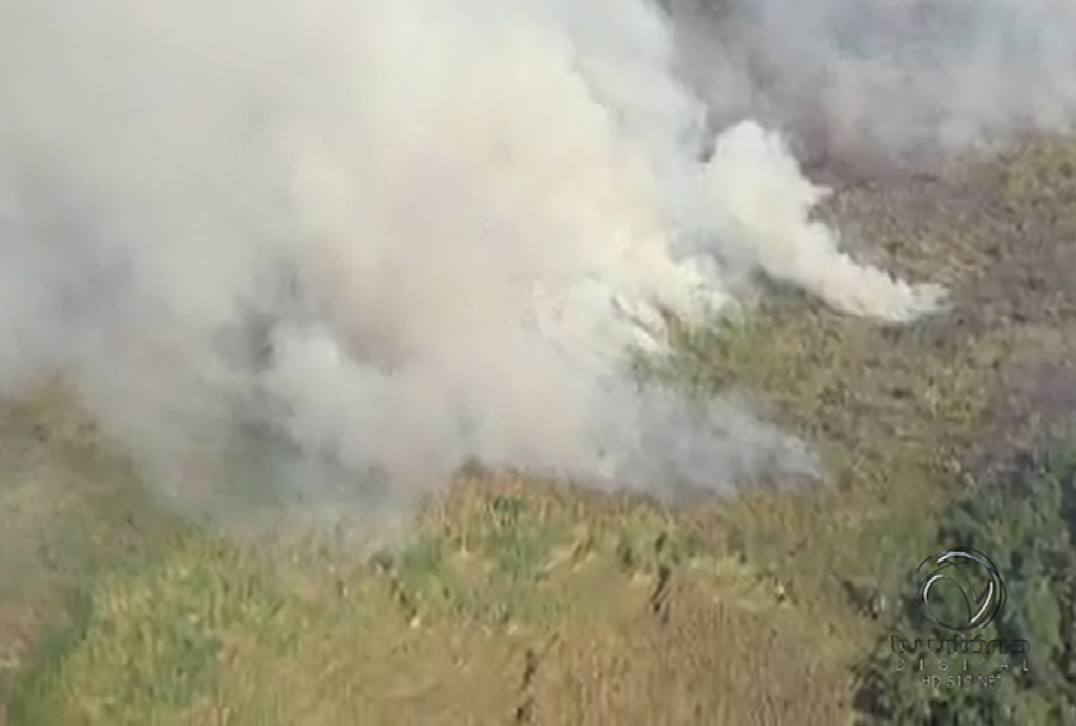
<point>387,236</point>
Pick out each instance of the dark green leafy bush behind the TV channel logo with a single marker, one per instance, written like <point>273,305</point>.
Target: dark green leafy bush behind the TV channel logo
<point>1025,522</point>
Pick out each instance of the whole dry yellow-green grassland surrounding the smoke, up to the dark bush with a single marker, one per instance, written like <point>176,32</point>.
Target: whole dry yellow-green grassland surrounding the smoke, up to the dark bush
<point>535,603</point>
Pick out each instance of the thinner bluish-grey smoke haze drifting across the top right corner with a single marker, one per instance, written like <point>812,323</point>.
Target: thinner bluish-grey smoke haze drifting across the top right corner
<point>896,80</point>
